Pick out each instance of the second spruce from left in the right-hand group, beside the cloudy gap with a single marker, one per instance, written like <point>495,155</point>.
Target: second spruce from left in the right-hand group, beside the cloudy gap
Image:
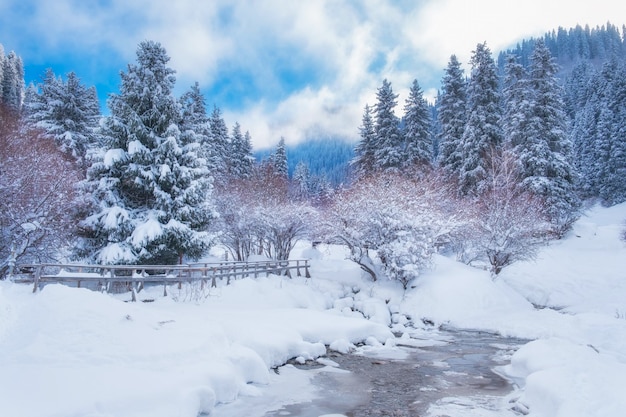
<point>388,152</point>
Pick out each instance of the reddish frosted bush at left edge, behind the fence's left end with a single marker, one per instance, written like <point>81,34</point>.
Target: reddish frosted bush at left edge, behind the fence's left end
<point>37,198</point>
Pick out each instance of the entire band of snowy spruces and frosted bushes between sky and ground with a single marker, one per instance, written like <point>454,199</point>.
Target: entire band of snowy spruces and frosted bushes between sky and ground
<point>505,160</point>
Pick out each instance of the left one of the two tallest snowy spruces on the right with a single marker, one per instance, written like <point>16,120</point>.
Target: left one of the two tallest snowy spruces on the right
<point>482,129</point>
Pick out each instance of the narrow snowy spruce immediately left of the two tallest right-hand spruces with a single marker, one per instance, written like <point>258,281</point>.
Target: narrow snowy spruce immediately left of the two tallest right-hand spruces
<point>451,115</point>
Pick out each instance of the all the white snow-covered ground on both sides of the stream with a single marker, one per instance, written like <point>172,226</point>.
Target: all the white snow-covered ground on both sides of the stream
<point>74,352</point>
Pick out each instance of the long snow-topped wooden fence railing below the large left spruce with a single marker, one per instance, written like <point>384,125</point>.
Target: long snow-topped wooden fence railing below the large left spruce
<point>135,277</point>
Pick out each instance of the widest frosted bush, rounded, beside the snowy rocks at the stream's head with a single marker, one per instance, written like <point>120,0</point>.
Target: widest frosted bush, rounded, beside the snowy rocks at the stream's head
<point>392,223</point>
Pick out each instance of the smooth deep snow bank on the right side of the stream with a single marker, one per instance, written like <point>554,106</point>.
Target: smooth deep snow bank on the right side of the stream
<point>572,299</point>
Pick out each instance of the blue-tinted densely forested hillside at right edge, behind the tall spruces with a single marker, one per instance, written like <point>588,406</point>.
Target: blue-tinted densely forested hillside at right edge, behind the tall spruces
<point>592,70</point>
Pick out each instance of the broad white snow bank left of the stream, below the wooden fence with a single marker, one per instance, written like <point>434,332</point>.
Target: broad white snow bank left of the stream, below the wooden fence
<point>84,353</point>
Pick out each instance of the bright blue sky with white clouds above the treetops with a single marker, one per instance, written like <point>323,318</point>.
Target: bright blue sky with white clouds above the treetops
<point>291,68</point>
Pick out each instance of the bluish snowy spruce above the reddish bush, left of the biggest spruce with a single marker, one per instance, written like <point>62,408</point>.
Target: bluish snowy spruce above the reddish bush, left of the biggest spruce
<point>66,111</point>
